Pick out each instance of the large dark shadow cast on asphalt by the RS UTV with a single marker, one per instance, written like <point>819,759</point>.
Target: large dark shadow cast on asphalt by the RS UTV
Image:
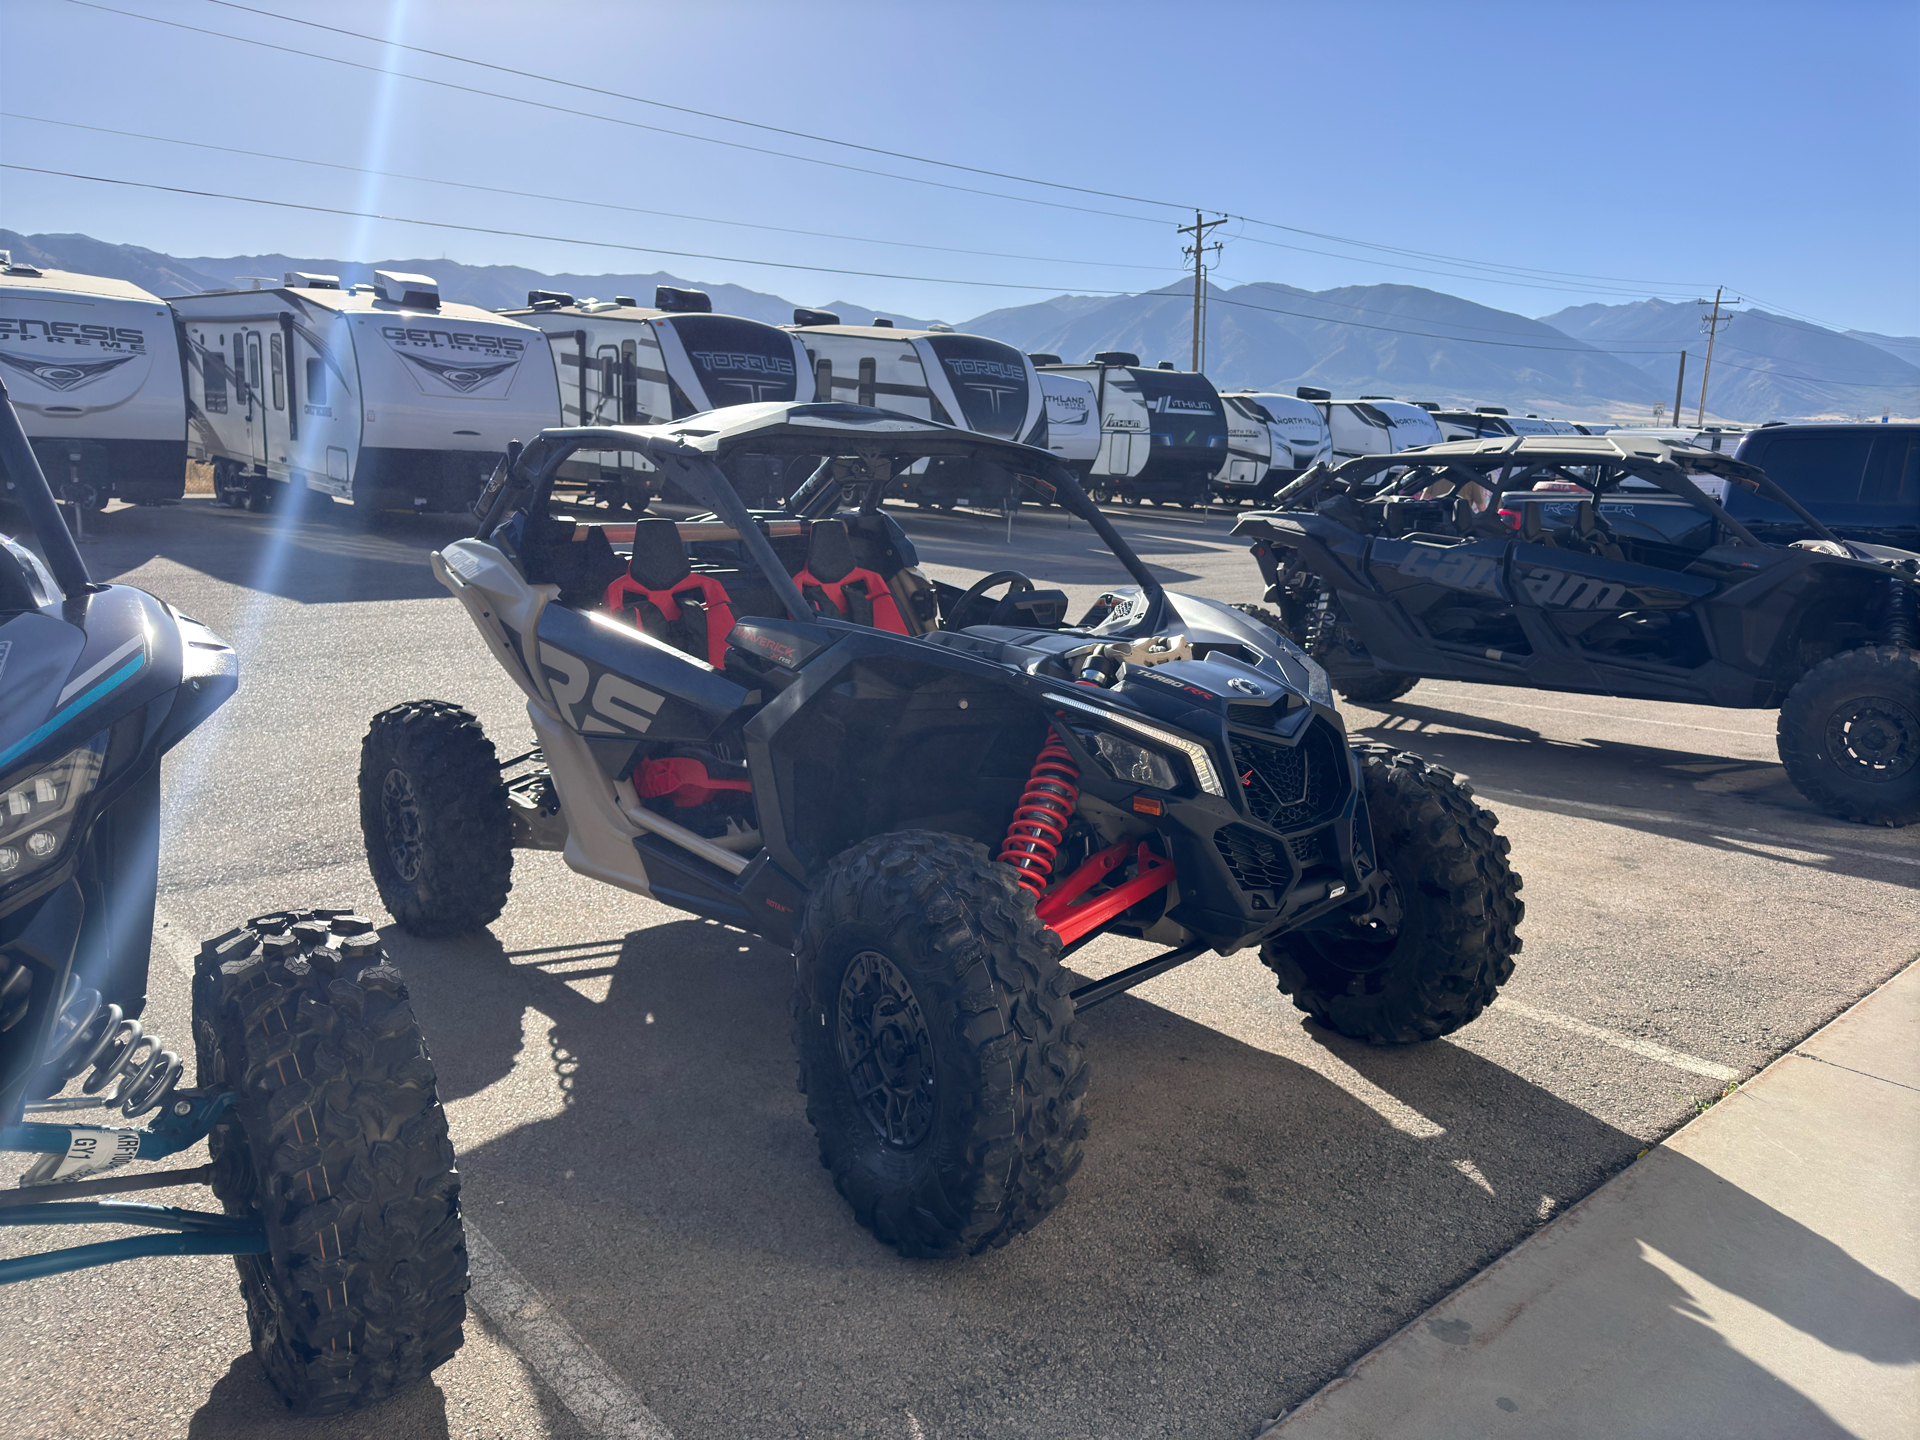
<point>1243,1226</point>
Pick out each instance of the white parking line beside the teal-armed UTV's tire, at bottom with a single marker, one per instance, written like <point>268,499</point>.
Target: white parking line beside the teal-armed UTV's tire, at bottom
<point>562,1358</point>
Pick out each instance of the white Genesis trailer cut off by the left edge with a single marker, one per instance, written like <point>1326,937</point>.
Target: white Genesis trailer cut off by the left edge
<point>93,368</point>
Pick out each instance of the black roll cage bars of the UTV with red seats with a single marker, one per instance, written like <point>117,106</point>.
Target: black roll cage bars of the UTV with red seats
<point>525,483</point>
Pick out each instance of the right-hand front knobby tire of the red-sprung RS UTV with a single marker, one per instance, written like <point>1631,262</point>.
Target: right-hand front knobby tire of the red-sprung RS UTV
<point>1458,900</point>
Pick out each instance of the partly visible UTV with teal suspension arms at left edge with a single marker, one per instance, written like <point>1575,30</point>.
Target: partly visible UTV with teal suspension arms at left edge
<point>329,1147</point>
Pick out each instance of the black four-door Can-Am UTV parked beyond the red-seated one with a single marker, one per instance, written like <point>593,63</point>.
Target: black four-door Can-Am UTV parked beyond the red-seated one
<point>1618,577</point>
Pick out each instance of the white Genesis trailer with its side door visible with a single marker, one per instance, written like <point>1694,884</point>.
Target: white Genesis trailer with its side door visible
<point>375,395</point>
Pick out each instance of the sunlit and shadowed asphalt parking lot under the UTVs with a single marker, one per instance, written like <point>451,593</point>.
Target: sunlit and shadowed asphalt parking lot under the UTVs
<point>1260,1201</point>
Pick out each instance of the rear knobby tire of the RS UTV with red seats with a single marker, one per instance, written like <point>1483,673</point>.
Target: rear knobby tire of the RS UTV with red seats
<point>435,819</point>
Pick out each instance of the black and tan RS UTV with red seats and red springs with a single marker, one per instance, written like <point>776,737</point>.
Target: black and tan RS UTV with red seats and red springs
<point>932,794</point>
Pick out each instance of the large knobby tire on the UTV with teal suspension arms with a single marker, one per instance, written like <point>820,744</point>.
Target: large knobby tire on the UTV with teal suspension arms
<point>339,1145</point>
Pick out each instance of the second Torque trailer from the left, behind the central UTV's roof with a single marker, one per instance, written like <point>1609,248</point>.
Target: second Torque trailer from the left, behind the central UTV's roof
<point>959,379</point>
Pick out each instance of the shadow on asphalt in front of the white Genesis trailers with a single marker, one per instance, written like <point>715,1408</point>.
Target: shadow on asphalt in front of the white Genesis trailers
<point>316,558</point>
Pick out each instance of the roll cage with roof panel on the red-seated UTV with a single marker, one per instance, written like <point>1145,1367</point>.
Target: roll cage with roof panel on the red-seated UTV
<point>859,452</point>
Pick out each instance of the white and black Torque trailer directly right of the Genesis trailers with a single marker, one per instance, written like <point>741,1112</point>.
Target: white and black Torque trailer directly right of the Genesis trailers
<point>619,362</point>
